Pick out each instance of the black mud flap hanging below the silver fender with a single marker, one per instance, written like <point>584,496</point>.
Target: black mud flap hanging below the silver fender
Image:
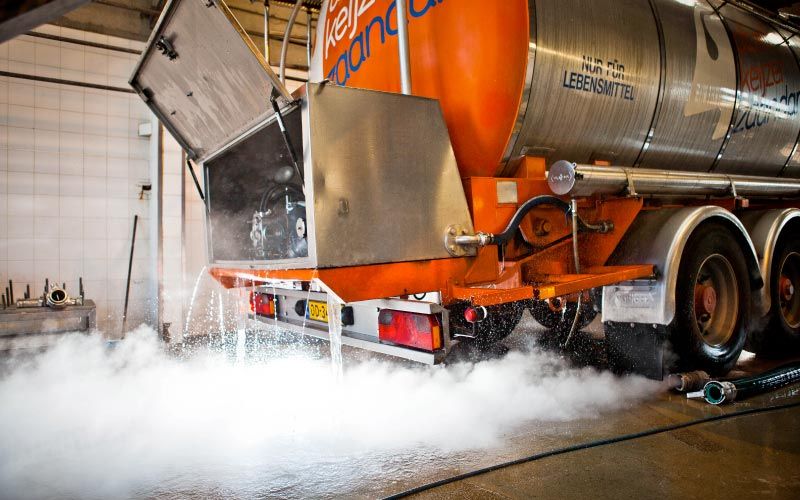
<point>636,348</point>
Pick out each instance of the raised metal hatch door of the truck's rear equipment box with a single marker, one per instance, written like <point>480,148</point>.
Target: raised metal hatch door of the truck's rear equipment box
<point>204,78</point>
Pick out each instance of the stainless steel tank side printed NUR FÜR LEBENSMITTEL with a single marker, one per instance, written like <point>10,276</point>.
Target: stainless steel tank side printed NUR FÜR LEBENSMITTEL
<point>678,84</point>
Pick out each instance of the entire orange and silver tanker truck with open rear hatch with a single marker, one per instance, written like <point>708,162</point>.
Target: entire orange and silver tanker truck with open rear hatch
<point>454,164</point>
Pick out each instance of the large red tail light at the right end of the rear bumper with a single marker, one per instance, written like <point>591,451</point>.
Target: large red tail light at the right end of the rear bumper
<point>422,331</point>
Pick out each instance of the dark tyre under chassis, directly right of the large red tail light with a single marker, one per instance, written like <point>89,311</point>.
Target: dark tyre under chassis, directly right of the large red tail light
<point>499,323</point>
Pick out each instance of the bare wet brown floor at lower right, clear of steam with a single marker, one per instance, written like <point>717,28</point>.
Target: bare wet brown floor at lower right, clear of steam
<point>742,457</point>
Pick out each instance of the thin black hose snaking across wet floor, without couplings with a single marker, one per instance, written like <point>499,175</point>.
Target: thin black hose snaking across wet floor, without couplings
<point>589,445</point>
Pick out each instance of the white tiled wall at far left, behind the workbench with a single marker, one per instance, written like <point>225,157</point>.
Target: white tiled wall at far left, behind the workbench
<point>71,169</point>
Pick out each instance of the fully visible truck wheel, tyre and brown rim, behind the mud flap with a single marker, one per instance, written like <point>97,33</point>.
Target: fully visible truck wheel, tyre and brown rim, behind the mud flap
<point>712,300</point>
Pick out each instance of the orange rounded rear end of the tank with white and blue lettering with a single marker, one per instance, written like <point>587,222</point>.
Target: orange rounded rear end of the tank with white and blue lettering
<point>471,58</point>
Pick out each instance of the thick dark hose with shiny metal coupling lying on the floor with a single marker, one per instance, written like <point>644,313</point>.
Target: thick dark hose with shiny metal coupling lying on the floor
<point>718,392</point>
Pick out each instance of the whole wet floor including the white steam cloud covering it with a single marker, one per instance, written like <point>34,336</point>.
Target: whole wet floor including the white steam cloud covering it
<point>84,424</point>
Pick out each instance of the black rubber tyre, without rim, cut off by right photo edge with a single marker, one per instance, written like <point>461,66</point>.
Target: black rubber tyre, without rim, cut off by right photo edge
<point>778,338</point>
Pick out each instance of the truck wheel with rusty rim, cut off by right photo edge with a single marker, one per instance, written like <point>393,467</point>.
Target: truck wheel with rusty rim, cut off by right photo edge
<point>782,334</point>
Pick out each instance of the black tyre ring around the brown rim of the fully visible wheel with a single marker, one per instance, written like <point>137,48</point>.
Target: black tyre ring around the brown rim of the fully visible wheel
<point>684,334</point>
